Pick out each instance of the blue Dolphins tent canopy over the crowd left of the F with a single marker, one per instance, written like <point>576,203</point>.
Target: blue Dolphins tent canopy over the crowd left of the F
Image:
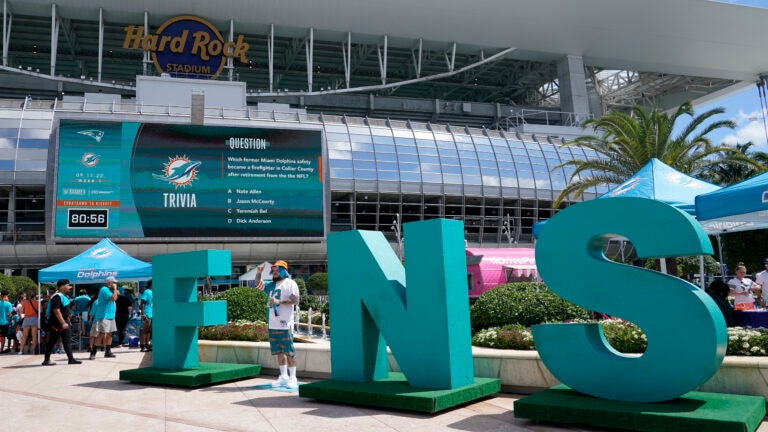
<point>97,263</point>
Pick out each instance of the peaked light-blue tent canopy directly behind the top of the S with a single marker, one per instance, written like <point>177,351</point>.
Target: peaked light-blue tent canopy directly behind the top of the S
<point>658,181</point>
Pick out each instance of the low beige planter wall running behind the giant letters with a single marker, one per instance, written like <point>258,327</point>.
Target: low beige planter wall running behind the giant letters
<point>519,371</point>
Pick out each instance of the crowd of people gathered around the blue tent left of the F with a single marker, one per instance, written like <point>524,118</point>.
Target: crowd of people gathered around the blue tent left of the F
<point>43,325</point>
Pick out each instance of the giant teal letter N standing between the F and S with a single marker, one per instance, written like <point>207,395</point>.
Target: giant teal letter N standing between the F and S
<point>426,325</point>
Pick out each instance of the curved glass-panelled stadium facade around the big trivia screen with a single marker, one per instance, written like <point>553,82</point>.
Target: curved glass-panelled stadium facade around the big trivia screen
<point>379,169</point>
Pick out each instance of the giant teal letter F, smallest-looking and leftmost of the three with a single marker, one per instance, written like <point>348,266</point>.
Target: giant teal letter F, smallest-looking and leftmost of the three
<point>177,313</point>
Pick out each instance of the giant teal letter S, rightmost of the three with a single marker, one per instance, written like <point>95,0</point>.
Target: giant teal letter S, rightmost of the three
<point>686,332</point>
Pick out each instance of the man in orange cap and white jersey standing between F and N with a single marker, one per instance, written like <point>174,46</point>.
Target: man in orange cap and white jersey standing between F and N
<point>283,293</point>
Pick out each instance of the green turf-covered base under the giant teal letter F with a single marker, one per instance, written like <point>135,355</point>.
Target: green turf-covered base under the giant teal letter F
<point>205,374</point>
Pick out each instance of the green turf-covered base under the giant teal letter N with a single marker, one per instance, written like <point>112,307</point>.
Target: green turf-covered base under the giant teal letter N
<point>394,392</point>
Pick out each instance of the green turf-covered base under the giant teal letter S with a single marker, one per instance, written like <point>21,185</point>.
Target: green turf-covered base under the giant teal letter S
<point>694,411</point>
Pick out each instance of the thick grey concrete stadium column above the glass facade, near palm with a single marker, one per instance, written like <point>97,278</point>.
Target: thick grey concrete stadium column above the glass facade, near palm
<point>573,87</point>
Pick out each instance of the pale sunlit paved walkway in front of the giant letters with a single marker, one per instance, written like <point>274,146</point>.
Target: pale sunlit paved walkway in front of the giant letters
<point>90,397</point>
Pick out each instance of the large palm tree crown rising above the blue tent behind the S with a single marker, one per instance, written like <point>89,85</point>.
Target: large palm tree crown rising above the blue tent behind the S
<point>628,141</point>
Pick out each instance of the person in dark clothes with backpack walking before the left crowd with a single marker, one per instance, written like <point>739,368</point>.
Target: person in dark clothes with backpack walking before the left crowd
<point>57,314</point>
